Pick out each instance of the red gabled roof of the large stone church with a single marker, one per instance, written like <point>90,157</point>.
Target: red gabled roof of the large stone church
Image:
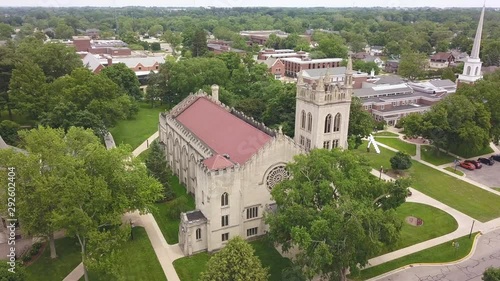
<point>223,132</point>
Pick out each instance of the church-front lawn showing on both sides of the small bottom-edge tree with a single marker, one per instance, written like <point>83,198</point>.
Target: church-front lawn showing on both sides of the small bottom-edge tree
<point>190,268</point>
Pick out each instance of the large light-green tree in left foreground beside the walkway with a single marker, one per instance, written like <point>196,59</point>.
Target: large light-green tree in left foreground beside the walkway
<point>72,182</point>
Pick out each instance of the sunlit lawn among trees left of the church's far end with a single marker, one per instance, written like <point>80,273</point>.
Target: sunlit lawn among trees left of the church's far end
<point>136,131</point>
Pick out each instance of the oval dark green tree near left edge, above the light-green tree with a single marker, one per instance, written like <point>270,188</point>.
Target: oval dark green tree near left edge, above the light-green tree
<point>28,90</point>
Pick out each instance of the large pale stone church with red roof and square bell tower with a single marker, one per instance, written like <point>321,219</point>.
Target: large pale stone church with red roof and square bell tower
<point>230,162</point>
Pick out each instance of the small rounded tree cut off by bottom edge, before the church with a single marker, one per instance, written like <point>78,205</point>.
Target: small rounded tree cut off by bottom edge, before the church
<point>236,261</point>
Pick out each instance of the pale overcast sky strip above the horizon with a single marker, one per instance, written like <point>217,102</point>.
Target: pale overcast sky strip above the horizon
<point>253,3</point>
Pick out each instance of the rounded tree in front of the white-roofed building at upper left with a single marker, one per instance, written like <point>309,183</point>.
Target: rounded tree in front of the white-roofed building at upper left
<point>125,78</point>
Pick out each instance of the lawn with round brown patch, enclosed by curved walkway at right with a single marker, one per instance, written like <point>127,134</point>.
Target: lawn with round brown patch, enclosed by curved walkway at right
<point>436,223</point>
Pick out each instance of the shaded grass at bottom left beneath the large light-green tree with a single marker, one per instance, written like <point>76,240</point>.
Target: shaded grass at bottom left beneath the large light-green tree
<point>45,268</point>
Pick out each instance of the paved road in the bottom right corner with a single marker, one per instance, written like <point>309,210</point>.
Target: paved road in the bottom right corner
<point>487,254</point>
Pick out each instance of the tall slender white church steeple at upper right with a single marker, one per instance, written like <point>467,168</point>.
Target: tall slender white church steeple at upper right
<point>472,67</point>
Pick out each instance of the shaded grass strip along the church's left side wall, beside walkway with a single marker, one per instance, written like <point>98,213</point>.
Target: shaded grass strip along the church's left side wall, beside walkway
<point>170,227</point>
